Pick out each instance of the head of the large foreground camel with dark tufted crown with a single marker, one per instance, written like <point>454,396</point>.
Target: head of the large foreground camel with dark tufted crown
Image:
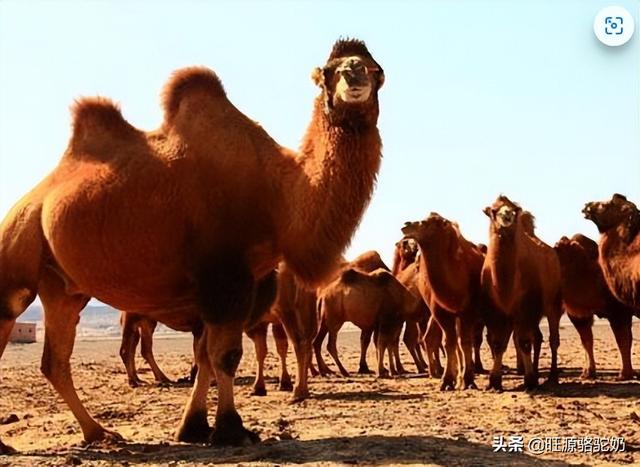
<point>349,81</point>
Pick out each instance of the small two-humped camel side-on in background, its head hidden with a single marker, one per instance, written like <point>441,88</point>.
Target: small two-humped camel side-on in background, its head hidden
<point>375,302</point>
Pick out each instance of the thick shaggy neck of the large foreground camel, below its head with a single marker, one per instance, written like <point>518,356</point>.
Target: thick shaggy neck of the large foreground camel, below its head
<point>337,168</point>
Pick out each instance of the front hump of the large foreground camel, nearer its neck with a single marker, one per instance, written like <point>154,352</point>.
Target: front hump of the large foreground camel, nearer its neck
<point>192,81</point>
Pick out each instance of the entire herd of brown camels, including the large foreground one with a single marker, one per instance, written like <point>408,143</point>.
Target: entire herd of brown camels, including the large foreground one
<point>208,226</point>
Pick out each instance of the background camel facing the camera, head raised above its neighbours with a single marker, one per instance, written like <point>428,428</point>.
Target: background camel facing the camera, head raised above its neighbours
<point>522,282</point>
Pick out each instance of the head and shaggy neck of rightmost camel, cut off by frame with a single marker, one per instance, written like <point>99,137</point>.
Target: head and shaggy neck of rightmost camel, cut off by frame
<point>618,221</point>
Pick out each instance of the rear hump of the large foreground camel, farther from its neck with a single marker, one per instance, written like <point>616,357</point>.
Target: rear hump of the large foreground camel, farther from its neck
<point>96,121</point>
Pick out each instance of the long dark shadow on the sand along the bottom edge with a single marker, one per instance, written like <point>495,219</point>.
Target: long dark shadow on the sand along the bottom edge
<point>374,449</point>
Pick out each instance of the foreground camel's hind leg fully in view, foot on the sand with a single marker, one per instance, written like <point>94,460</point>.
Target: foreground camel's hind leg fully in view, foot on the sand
<point>61,315</point>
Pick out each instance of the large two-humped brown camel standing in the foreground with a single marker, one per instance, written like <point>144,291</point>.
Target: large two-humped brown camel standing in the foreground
<point>189,219</point>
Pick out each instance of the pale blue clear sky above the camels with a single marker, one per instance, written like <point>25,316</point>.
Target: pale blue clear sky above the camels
<point>480,98</point>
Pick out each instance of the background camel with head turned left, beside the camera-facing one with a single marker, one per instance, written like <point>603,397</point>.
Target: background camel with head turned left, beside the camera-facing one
<point>449,282</point>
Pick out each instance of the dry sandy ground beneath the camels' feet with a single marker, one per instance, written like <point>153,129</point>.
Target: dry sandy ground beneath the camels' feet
<point>360,419</point>
